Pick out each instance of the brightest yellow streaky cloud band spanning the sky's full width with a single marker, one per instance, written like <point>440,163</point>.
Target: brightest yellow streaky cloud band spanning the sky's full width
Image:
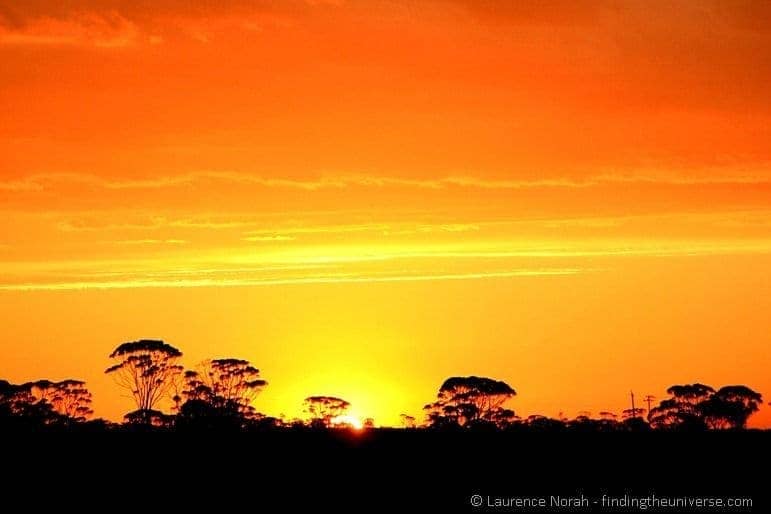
<point>298,265</point>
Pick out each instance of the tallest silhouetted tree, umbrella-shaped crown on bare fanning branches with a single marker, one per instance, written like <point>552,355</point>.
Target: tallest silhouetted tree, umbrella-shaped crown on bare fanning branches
<point>147,369</point>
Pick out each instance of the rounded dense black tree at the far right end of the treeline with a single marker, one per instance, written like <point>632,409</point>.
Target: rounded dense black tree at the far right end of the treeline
<point>729,407</point>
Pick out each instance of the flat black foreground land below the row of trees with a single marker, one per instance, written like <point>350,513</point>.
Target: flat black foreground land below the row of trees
<point>387,470</point>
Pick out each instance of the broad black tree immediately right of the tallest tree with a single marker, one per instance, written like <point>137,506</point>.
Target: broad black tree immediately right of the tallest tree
<point>220,393</point>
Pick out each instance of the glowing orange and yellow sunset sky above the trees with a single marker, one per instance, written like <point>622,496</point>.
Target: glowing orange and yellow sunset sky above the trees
<point>365,198</point>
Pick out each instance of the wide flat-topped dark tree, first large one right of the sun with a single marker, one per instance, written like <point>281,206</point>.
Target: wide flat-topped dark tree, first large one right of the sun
<point>463,401</point>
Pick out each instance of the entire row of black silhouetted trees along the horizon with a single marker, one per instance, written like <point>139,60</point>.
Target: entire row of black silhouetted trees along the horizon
<point>219,393</point>
